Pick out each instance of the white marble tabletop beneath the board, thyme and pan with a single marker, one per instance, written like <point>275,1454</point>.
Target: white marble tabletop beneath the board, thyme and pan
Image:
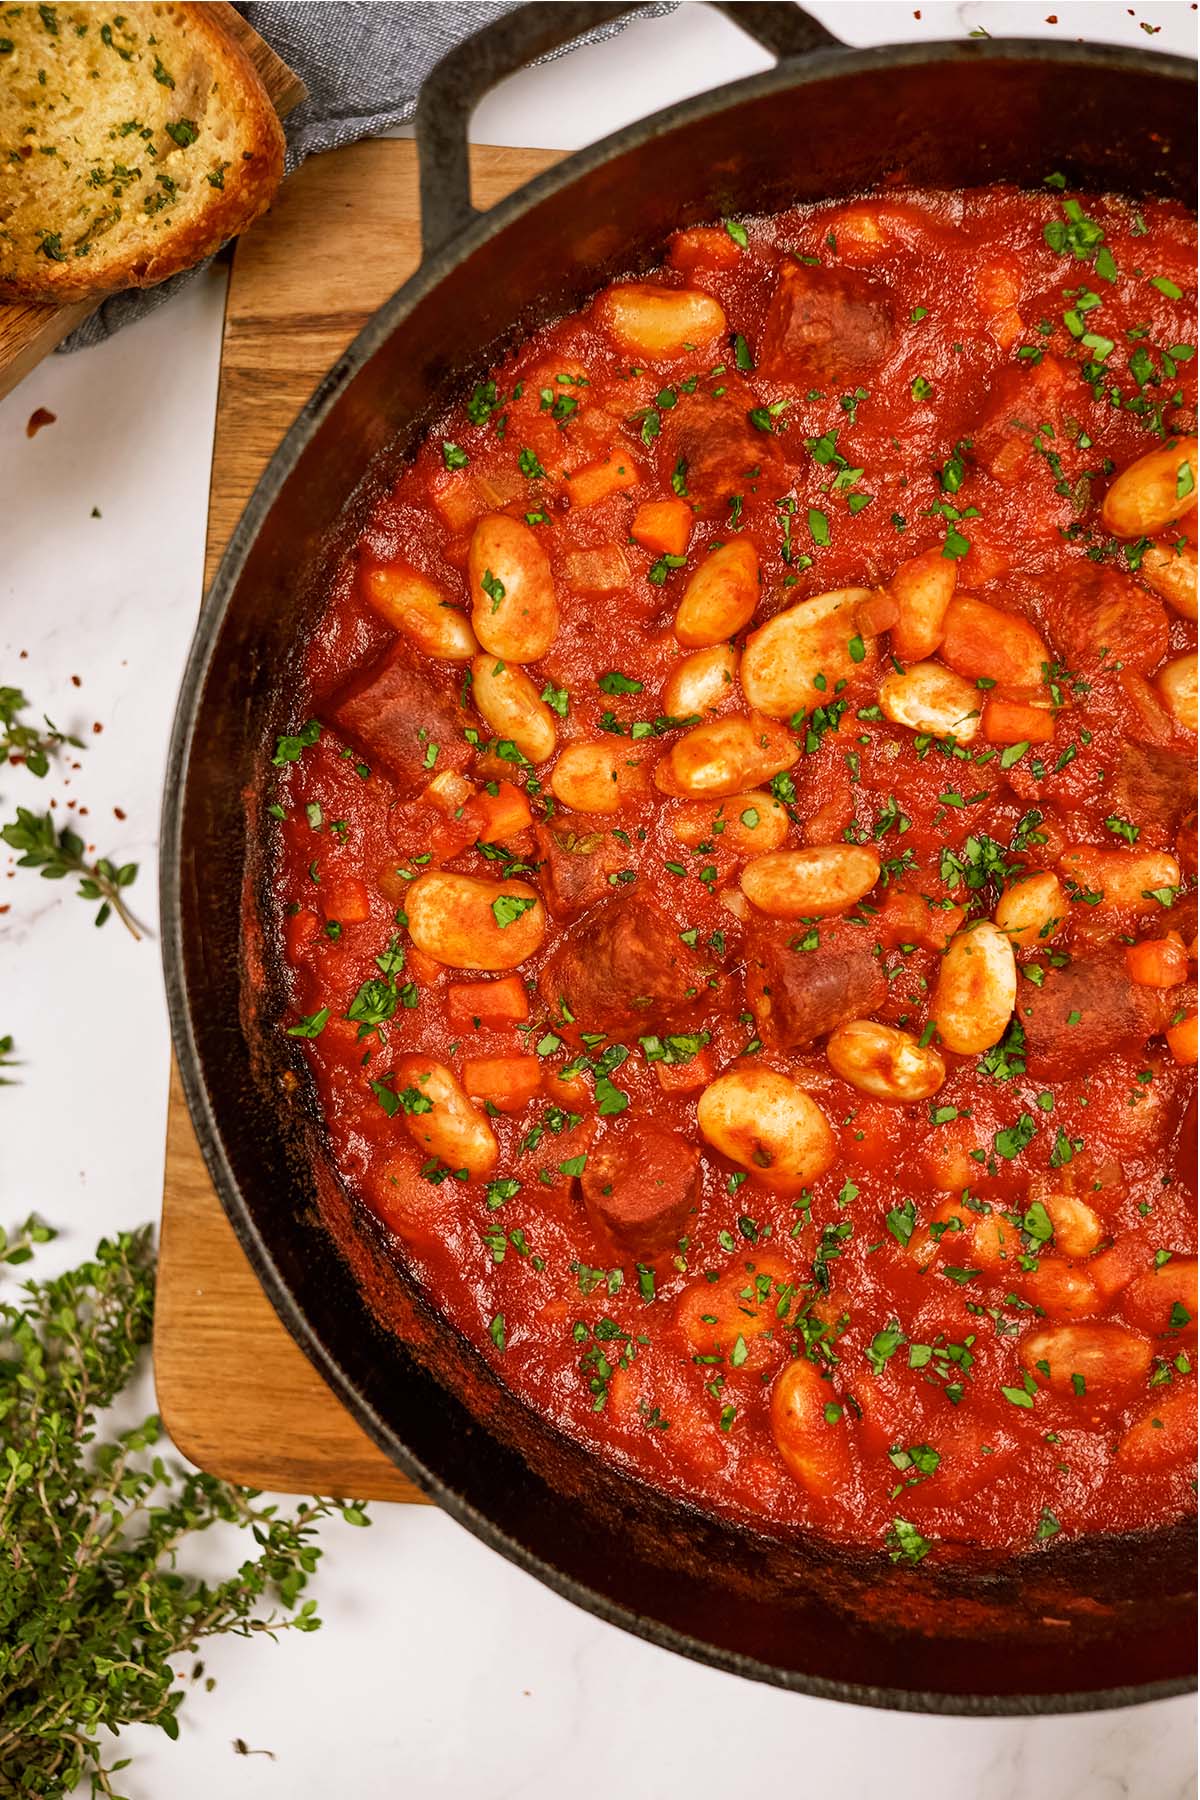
<point>442,1673</point>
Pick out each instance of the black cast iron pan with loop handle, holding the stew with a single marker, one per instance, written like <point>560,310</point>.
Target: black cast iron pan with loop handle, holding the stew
<point>1102,1623</point>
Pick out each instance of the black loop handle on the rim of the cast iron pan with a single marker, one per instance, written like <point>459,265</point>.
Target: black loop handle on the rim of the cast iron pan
<point>458,84</point>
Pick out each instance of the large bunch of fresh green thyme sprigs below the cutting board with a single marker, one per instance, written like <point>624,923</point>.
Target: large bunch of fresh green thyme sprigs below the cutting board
<point>91,1594</point>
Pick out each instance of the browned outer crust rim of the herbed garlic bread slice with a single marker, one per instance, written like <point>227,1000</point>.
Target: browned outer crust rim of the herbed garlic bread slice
<point>249,186</point>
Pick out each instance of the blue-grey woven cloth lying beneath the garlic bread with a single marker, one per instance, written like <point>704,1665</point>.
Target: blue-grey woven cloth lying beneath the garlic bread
<point>363,64</point>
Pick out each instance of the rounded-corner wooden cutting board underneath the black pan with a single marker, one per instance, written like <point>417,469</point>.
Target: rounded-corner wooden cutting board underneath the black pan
<point>235,1390</point>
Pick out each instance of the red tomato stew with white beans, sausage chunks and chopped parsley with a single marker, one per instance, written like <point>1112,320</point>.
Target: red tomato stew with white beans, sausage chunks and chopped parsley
<point>958,1311</point>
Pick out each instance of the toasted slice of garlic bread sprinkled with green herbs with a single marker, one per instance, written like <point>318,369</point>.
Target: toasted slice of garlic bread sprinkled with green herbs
<point>134,141</point>
